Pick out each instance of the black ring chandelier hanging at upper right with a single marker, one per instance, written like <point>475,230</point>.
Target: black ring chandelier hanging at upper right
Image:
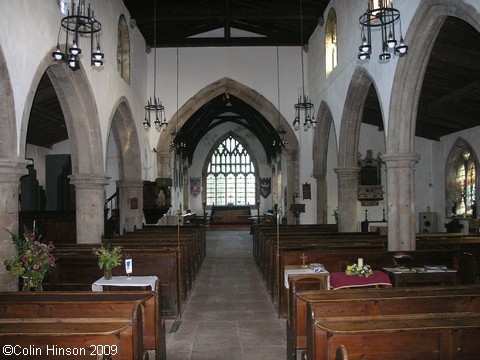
<point>381,14</point>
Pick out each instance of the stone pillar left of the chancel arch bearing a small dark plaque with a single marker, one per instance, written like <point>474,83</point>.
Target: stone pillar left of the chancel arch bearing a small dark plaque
<point>130,204</point>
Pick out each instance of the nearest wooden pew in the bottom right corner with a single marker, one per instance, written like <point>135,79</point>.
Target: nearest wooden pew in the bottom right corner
<point>408,336</point>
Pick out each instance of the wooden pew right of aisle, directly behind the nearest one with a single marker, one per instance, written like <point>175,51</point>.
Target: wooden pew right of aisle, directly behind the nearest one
<point>308,305</point>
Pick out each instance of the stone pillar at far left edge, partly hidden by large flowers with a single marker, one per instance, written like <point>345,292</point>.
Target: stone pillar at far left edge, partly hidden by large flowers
<point>10,174</point>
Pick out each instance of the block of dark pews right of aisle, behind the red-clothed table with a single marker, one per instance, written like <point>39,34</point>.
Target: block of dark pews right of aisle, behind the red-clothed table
<point>275,248</point>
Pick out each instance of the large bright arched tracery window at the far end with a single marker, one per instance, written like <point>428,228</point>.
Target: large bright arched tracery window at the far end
<point>231,175</point>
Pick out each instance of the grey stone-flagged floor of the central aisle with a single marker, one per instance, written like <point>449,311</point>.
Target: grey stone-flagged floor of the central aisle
<point>229,315</point>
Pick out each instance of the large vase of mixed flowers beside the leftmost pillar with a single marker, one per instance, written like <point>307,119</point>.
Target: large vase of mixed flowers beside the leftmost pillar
<point>34,259</point>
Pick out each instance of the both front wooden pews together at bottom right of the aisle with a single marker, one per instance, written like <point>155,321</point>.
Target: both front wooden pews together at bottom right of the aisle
<point>399,323</point>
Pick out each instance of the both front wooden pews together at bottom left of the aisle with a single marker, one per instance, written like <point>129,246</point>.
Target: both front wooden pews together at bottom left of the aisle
<point>121,325</point>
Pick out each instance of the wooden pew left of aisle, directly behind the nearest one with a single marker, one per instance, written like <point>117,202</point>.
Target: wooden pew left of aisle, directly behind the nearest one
<point>111,304</point>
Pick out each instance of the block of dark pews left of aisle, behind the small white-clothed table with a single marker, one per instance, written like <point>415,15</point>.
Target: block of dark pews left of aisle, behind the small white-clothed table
<point>173,254</point>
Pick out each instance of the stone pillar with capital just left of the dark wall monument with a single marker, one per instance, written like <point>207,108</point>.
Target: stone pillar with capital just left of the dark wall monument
<point>347,198</point>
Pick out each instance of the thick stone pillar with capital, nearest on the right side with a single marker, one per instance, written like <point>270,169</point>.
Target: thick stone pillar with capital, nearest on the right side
<point>401,200</point>
